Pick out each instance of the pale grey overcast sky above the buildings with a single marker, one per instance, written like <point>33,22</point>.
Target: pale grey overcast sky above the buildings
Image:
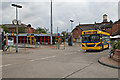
<point>37,13</point>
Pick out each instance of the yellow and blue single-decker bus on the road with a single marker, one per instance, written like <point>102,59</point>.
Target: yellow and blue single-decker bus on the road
<point>95,40</point>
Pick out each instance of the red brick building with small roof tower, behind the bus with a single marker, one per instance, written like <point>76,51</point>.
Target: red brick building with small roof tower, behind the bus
<point>109,27</point>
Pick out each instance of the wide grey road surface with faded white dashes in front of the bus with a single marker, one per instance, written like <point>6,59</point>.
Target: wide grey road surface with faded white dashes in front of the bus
<point>53,63</point>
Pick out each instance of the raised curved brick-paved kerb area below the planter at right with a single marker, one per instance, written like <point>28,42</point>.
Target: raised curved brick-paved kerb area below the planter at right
<point>107,61</point>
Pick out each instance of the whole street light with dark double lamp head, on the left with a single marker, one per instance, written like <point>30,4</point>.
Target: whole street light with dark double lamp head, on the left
<point>17,6</point>
